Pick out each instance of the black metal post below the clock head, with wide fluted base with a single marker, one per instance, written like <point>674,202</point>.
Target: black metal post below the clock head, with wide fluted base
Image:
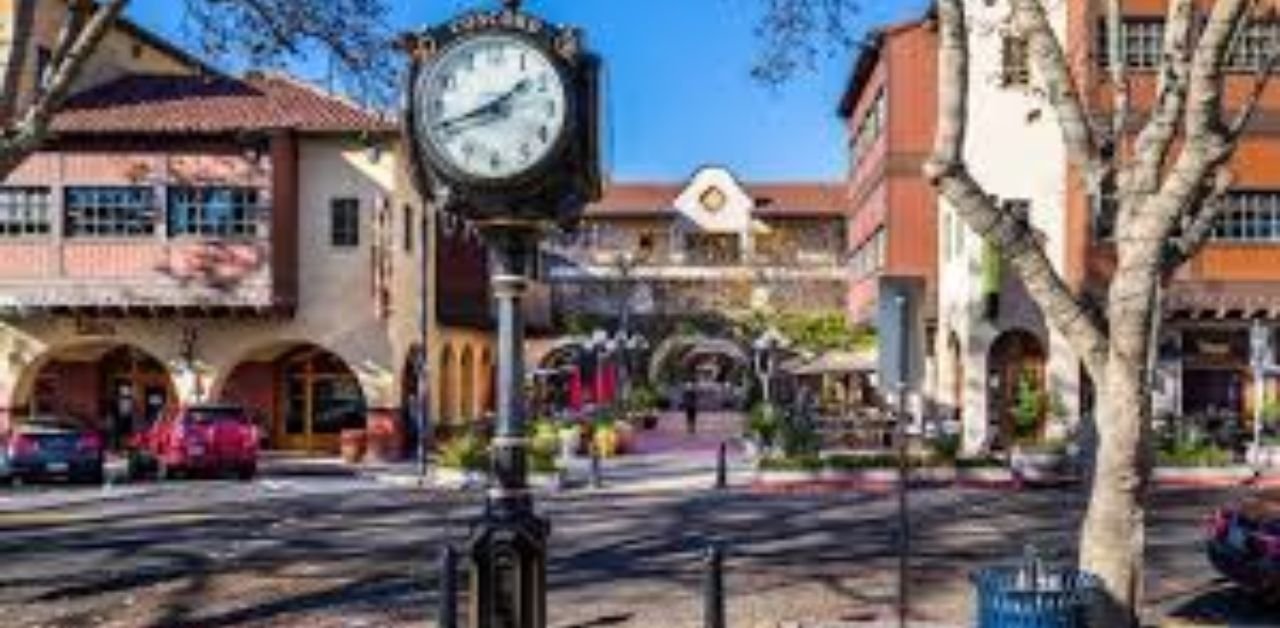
<point>509,548</point>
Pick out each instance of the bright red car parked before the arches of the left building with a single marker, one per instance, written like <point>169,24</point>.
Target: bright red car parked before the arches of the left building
<point>208,441</point>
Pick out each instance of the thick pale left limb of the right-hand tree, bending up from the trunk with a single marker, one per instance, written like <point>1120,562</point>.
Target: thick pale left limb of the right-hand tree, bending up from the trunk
<point>1013,235</point>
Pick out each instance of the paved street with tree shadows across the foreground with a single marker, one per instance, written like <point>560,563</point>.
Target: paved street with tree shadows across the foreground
<point>350,552</point>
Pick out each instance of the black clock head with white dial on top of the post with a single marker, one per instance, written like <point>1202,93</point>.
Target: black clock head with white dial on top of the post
<point>502,116</point>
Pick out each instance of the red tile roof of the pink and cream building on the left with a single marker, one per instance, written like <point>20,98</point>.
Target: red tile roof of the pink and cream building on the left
<point>157,104</point>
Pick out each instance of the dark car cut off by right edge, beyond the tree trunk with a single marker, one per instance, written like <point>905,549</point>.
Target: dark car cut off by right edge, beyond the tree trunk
<point>1244,543</point>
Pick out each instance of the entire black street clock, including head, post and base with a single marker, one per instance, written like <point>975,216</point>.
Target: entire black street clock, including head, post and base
<point>514,209</point>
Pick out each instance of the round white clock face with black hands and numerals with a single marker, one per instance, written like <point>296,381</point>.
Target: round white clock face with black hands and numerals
<point>493,107</point>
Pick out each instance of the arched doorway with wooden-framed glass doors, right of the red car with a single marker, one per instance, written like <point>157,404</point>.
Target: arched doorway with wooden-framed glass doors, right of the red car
<point>304,396</point>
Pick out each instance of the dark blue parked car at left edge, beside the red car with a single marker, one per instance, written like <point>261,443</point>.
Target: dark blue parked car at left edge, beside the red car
<point>49,447</point>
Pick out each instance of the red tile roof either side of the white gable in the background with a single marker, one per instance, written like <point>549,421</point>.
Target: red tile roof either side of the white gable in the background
<point>772,199</point>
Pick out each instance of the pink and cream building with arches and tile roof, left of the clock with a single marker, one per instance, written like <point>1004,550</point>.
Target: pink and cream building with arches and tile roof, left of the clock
<point>193,237</point>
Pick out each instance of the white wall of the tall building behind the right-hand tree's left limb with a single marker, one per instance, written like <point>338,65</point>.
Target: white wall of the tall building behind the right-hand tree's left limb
<point>1016,152</point>
